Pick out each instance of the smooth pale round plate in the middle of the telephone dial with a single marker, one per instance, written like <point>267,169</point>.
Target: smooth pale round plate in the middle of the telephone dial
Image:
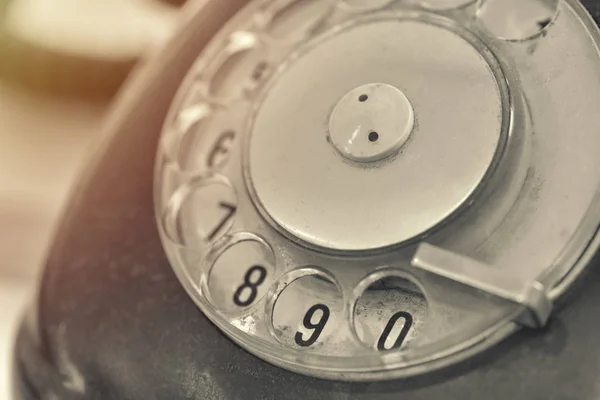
<point>312,191</point>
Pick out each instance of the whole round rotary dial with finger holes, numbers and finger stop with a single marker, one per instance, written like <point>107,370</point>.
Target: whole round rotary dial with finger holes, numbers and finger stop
<point>371,189</point>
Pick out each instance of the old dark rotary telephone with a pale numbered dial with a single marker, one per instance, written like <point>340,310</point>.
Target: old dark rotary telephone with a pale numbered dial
<point>337,199</point>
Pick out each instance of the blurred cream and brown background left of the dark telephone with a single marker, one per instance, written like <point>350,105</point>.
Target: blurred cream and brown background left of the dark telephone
<point>61,64</point>
